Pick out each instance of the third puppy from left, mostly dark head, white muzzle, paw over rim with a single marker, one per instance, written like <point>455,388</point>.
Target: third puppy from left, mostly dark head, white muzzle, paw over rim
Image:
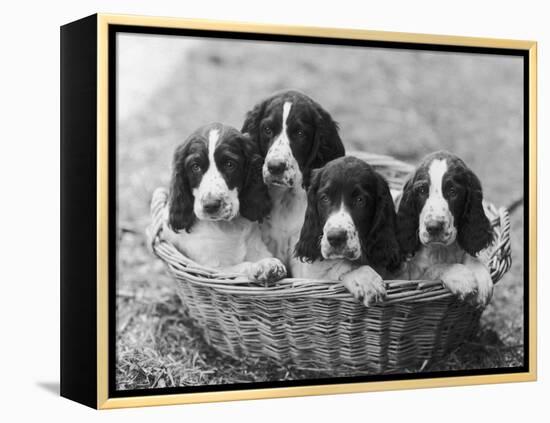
<point>349,228</point>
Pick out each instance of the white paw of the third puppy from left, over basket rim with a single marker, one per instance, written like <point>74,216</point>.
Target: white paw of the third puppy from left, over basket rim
<point>365,285</point>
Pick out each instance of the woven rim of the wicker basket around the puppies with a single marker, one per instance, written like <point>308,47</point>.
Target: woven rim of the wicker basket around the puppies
<point>497,257</point>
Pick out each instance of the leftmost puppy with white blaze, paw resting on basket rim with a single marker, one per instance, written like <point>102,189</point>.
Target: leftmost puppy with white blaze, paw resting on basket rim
<point>217,197</point>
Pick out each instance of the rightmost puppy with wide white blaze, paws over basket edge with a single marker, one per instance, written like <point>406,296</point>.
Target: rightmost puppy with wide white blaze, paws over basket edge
<point>442,227</point>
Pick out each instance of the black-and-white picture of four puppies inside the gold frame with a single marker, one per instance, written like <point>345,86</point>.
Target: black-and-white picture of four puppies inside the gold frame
<point>294,211</point>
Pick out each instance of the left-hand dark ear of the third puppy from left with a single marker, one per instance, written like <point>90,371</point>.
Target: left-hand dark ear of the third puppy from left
<point>308,247</point>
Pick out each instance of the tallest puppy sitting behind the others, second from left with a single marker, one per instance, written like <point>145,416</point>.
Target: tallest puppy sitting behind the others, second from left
<point>295,135</point>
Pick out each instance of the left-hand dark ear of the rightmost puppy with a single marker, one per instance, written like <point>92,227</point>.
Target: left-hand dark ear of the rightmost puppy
<point>407,220</point>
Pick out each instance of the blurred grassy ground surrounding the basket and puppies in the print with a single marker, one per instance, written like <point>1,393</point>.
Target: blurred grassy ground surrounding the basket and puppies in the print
<point>398,102</point>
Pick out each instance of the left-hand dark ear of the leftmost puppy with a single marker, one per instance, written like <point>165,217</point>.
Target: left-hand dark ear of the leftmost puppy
<point>181,200</point>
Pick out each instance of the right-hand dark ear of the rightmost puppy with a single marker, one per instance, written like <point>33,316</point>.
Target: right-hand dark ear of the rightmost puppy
<point>474,229</point>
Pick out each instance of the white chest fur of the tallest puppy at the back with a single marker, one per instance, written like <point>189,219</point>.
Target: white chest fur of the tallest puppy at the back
<point>281,229</point>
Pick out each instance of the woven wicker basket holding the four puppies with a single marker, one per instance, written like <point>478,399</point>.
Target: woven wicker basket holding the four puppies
<point>317,324</point>
